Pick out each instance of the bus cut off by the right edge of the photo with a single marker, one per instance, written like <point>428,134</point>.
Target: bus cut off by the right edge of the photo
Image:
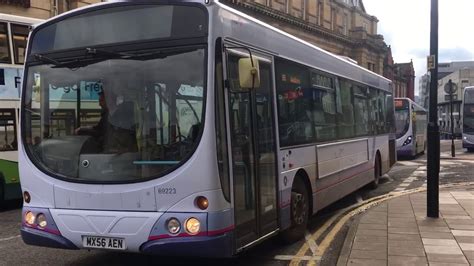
<point>468,119</point>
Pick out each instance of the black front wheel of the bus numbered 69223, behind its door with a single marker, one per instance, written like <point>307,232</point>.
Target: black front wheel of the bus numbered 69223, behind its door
<point>299,212</point>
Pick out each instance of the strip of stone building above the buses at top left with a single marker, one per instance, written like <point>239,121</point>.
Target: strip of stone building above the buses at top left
<point>41,9</point>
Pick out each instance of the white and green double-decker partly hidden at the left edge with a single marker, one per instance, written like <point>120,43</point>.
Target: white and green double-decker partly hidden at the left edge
<point>13,39</point>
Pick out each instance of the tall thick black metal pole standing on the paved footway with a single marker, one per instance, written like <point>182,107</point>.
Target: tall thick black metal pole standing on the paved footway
<point>433,129</point>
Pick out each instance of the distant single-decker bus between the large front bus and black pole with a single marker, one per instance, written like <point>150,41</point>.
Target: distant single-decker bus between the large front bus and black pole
<point>411,127</point>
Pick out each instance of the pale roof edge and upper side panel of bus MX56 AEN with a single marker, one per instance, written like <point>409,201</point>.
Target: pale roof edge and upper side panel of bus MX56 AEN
<point>319,59</point>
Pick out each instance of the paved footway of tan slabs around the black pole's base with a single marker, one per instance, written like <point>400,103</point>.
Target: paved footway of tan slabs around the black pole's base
<point>398,231</point>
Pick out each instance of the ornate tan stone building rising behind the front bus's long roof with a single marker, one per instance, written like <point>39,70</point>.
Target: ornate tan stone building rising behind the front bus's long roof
<point>342,27</point>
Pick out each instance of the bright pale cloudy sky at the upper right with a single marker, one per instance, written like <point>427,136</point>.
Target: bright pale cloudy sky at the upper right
<point>405,25</point>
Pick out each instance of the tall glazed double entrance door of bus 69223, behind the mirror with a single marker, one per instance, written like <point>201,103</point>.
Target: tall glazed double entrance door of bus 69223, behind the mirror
<point>251,119</point>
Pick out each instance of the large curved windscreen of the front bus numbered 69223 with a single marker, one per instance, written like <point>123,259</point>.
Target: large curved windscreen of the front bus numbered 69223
<point>150,115</point>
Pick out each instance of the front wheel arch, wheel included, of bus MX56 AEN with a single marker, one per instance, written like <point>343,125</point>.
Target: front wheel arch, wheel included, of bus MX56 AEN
<point>301,207</point>
